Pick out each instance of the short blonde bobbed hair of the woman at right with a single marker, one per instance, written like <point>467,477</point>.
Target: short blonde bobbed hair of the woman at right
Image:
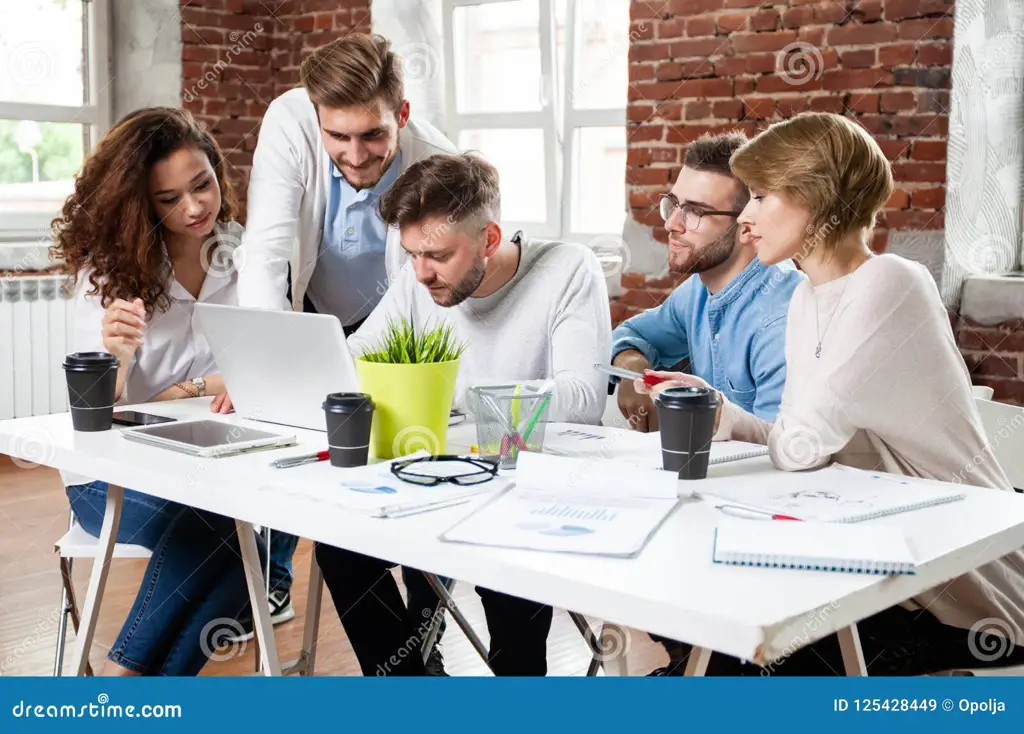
<point>826,163</point>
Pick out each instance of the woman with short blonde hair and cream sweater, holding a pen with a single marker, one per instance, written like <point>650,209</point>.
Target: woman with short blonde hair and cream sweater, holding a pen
<point>875,380</point>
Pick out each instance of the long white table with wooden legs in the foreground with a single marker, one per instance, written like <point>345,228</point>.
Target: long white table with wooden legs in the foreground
<point>672,589</point>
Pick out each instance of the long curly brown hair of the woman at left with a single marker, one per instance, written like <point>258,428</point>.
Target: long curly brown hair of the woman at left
<point>108,225</point>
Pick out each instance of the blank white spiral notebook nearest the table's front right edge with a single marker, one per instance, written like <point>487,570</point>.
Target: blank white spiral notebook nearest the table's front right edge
<point>877,550</point>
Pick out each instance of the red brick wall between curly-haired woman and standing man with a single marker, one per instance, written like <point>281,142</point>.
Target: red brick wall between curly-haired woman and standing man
<point>239,55</point>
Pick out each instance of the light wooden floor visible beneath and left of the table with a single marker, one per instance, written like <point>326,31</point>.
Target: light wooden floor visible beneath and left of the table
<point>34,514</point>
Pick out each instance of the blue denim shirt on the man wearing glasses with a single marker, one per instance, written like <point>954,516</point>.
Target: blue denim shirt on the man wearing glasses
<point>736,339</point>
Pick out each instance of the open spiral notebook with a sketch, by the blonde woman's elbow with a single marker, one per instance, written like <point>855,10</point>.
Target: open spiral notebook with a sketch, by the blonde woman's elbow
<point>839,494</point>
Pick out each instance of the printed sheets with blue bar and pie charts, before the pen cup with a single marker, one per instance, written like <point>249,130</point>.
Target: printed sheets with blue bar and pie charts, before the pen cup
<point>551,508</point>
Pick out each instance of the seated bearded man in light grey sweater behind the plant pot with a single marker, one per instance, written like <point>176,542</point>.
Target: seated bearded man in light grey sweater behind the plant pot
<point>527,311</point>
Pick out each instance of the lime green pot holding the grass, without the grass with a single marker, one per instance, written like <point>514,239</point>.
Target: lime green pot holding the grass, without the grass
<point>413,404</point>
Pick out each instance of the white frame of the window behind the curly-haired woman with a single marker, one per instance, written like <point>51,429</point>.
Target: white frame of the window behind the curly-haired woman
<point>95,113</point>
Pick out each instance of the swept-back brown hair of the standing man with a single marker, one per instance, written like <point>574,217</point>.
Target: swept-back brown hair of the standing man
<point>355,70</point>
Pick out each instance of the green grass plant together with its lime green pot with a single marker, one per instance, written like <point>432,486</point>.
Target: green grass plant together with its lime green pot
<point>411,375</point>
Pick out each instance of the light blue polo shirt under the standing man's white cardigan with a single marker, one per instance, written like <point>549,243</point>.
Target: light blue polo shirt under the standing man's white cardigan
<point>351,267</point>
